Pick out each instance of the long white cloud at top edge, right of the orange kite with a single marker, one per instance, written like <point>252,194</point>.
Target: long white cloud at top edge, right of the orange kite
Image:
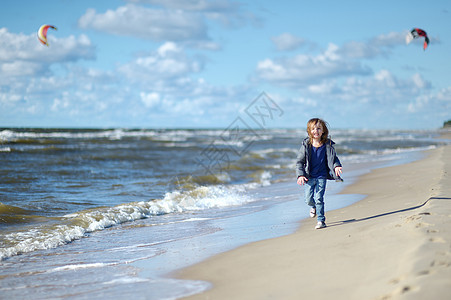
<point>179,21</point>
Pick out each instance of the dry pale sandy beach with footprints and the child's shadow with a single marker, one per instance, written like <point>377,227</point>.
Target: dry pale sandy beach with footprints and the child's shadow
<point>394,244</point>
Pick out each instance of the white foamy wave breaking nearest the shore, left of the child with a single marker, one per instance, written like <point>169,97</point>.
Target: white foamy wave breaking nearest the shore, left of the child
<point>59,231</point>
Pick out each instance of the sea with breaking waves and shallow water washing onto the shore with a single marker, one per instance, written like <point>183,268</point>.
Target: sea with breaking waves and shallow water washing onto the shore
<point>94,213</point>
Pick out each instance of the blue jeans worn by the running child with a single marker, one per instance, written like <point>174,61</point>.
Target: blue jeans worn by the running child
<point>314,196</point>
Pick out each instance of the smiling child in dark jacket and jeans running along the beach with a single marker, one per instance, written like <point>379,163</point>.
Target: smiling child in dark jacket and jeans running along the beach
<point>317,161</point>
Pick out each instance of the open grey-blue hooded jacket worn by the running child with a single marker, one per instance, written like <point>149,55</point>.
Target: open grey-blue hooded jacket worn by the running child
<point>304,158</point>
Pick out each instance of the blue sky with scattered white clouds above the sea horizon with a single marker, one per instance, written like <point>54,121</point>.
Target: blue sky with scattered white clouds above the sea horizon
<point>204,64</point>
